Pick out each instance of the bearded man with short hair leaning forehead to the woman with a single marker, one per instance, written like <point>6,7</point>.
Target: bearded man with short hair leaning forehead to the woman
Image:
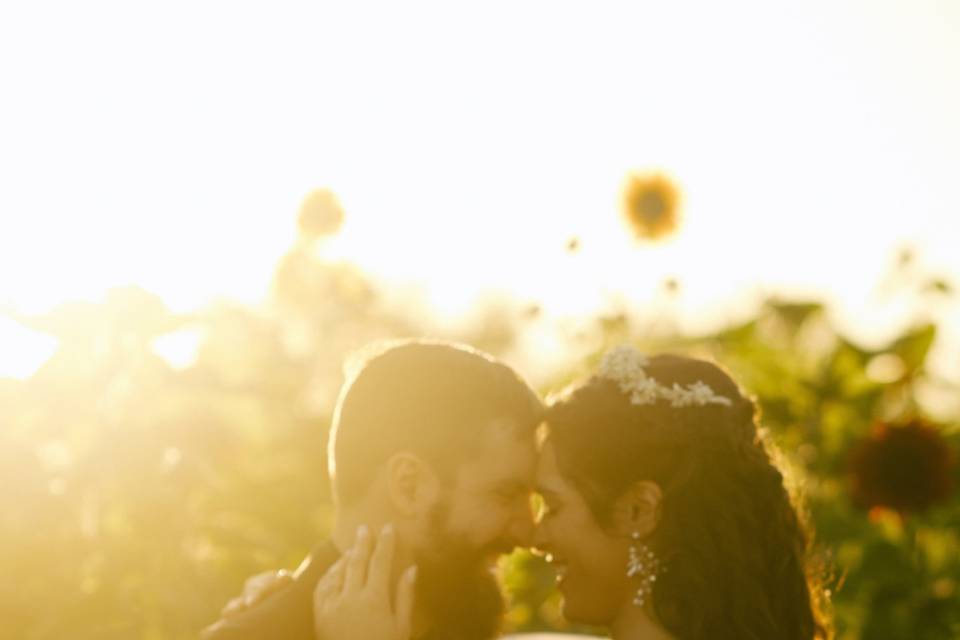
<point>436,443</point>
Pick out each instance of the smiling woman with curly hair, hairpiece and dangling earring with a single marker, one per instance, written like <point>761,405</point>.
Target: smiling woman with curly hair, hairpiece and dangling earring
<point>664,515</point>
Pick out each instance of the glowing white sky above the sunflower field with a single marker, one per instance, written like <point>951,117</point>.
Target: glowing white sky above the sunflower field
<point>169,145</point>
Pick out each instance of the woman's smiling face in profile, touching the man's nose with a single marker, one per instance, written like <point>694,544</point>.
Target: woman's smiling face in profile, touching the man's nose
<point>591,563</point>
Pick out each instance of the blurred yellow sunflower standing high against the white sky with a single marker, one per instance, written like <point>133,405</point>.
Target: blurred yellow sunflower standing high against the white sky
<point>651,205</point>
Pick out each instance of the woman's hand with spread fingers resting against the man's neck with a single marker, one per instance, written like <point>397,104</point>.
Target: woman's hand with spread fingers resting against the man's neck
<point>353,599</point>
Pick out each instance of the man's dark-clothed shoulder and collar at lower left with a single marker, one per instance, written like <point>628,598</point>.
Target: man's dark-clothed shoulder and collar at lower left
<point>286,614</point>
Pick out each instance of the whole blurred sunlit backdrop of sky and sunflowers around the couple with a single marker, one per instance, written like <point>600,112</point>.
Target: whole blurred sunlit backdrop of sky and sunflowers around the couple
<point>205,206</point>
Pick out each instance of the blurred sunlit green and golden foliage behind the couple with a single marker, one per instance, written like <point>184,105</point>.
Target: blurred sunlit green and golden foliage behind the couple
<point>137,497</point>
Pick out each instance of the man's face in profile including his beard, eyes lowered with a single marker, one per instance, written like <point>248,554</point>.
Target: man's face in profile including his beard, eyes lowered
<point>485,513</point>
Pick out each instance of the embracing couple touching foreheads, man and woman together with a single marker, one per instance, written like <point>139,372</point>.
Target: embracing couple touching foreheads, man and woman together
<point>663,512</point>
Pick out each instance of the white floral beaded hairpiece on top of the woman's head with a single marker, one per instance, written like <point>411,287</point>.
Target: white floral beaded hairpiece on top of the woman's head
<point>625,366</point>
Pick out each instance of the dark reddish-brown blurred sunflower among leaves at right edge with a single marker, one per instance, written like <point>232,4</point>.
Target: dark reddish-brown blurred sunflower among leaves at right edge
<point>906,467</point>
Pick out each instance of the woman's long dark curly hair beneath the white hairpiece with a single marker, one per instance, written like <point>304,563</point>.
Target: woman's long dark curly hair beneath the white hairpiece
<point>735,545</point>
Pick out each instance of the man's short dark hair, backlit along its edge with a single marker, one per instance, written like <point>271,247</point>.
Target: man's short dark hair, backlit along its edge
<point>427,397</point>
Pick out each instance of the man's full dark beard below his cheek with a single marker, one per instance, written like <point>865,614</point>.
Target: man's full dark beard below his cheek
<point>455,586</point>
